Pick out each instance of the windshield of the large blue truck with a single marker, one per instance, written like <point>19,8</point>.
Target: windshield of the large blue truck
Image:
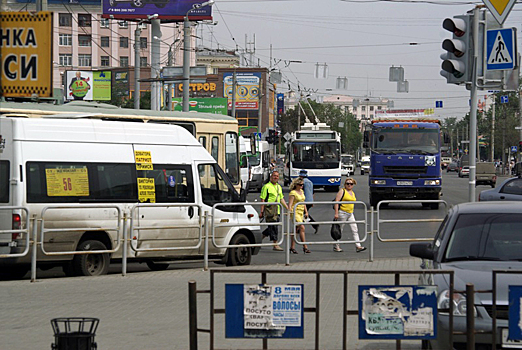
<point>409,140</point>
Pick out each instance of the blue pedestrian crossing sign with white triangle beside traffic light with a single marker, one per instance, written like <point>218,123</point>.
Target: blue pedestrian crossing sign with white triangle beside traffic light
<point>501,49</point>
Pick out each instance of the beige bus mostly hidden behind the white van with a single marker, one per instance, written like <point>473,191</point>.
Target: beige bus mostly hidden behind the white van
<point>216,132</point>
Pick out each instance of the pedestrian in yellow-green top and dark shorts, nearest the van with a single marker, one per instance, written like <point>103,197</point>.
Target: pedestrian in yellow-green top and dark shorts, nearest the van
<point>272,192</point>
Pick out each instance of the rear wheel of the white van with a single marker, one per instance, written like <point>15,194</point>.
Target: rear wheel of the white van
<point>91,264</point>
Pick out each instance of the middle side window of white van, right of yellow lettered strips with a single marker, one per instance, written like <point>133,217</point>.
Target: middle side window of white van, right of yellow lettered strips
<point>173,183</point>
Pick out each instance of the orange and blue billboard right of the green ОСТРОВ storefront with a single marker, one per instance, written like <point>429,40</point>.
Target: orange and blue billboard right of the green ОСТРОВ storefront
<point>247,89</point>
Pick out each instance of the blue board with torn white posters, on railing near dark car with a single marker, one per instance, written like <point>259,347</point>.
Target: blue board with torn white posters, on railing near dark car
<point>397,312</point>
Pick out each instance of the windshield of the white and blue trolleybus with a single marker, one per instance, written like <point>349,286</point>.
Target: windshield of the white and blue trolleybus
<point>315,155</point>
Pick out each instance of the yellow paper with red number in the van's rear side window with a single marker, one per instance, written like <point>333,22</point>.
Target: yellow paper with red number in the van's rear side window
<point>67,182</point>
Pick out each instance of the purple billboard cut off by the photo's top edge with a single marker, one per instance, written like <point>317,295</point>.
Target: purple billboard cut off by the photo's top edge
<point>173,10</point>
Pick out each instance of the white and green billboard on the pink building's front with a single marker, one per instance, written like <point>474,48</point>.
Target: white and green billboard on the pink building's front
<point>88,85</point>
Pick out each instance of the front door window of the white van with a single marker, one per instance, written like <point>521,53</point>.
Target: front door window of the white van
<point>214,187</point>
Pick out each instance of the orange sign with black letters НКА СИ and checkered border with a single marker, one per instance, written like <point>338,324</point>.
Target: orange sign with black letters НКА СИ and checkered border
<point>26,54</point>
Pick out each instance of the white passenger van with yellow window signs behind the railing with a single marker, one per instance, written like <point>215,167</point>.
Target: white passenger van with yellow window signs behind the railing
<point>62,166</point>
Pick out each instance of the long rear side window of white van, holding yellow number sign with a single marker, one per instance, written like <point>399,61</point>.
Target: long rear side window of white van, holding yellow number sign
<point>75,182</point>
